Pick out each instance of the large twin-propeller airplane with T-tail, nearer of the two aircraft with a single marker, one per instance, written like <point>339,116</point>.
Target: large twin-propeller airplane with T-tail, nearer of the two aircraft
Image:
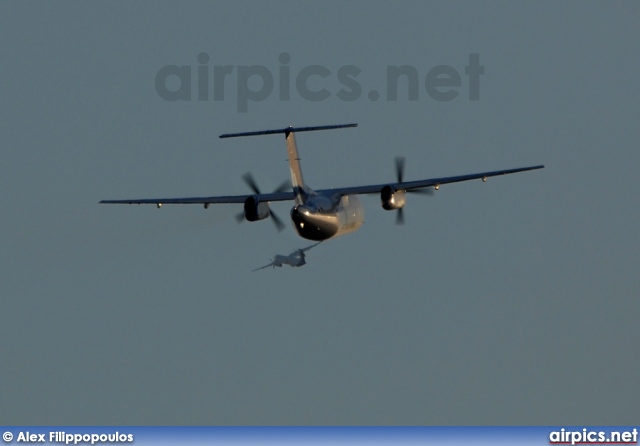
<point>325,213</point>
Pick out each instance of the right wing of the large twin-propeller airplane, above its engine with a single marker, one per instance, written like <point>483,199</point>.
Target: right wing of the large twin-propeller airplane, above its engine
<point>412,185</point>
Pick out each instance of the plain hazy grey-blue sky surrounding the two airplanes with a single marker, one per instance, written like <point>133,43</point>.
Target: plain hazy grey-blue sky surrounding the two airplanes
<point>510,302</point>
